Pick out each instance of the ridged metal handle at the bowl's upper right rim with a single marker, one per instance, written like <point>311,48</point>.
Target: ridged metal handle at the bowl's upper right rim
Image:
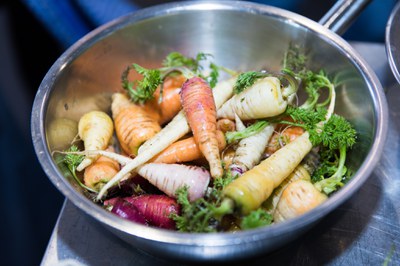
<point>342,14</point>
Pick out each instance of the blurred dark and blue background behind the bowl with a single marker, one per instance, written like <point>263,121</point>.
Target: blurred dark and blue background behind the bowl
<point>33,33</point>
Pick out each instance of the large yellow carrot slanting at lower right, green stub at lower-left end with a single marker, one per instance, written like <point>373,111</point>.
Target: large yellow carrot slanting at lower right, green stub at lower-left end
<point>256,185</point>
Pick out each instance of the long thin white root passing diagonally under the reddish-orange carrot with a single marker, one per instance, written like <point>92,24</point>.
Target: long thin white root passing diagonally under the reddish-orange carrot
<point>174,130</point>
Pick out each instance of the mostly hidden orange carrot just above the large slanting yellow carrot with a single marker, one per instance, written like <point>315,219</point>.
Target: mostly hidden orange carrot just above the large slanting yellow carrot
<point>282,138</point>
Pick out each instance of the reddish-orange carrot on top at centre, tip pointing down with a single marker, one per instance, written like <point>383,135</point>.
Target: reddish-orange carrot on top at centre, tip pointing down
<point>199,107</point>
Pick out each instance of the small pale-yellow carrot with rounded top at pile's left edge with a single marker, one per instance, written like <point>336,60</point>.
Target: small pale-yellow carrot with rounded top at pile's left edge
<point>95,128</point>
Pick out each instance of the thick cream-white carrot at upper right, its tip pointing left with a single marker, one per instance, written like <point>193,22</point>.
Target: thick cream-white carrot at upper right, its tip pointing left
<point>263,99</point>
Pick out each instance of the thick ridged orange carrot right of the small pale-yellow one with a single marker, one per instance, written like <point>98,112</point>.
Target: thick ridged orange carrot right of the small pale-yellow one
<point>133,125</point>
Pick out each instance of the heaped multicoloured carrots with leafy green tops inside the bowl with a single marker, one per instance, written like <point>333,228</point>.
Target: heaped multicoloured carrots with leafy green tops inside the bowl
<point>181,150</point>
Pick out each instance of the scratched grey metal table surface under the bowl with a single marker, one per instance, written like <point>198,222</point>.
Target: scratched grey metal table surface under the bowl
<point>365,230</point>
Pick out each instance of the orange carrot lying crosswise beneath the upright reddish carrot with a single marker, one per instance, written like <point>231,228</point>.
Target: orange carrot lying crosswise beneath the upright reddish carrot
<point>185,150</point>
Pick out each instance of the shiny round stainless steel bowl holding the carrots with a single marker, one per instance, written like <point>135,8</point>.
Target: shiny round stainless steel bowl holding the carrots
<point>241,36</point>
